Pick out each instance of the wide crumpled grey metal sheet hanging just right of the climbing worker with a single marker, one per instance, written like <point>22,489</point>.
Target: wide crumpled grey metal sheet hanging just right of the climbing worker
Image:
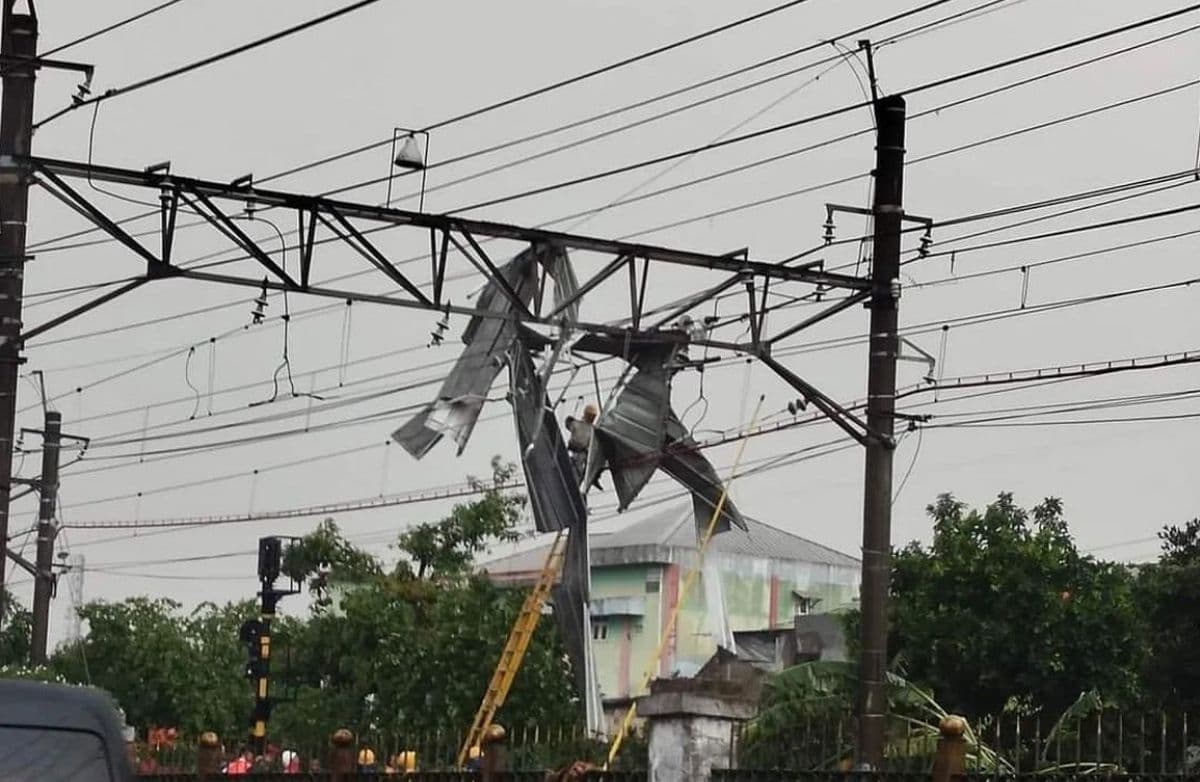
<point>633,430</point>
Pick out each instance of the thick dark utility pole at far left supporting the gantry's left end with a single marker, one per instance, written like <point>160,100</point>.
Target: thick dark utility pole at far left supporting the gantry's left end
<point>19,50</point>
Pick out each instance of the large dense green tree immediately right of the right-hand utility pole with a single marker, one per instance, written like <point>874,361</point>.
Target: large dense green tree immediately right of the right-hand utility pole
<point>1003,609</point>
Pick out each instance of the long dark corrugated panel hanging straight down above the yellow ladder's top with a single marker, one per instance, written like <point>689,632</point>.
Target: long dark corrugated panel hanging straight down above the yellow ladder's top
<point>550,477</point>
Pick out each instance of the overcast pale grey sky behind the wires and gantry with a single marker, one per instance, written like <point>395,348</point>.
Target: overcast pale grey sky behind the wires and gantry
<point>399,64</point>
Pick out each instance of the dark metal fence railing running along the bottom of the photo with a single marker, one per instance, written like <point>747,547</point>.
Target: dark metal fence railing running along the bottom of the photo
<point>1105,744</point>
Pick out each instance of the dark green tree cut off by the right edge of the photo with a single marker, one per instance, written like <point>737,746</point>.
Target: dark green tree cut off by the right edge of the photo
<point>1169,599</point>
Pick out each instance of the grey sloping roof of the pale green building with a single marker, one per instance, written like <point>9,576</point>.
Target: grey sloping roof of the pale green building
<point>670,536</point>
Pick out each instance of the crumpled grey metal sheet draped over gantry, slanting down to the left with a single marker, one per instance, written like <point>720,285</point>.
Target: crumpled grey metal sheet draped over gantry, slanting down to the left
<point>461,399</point>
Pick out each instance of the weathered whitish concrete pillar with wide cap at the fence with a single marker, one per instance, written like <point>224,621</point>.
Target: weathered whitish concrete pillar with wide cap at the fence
<point>691,731</point>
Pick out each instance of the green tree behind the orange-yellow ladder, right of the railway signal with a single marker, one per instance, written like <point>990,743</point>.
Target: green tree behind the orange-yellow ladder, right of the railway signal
<point>412,649</point>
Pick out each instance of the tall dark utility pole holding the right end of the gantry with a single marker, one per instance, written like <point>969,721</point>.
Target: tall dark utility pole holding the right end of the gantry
<point>881,386</point>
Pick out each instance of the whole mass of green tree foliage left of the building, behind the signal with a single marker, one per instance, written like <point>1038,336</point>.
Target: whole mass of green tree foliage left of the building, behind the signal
<point>386,651</point>
